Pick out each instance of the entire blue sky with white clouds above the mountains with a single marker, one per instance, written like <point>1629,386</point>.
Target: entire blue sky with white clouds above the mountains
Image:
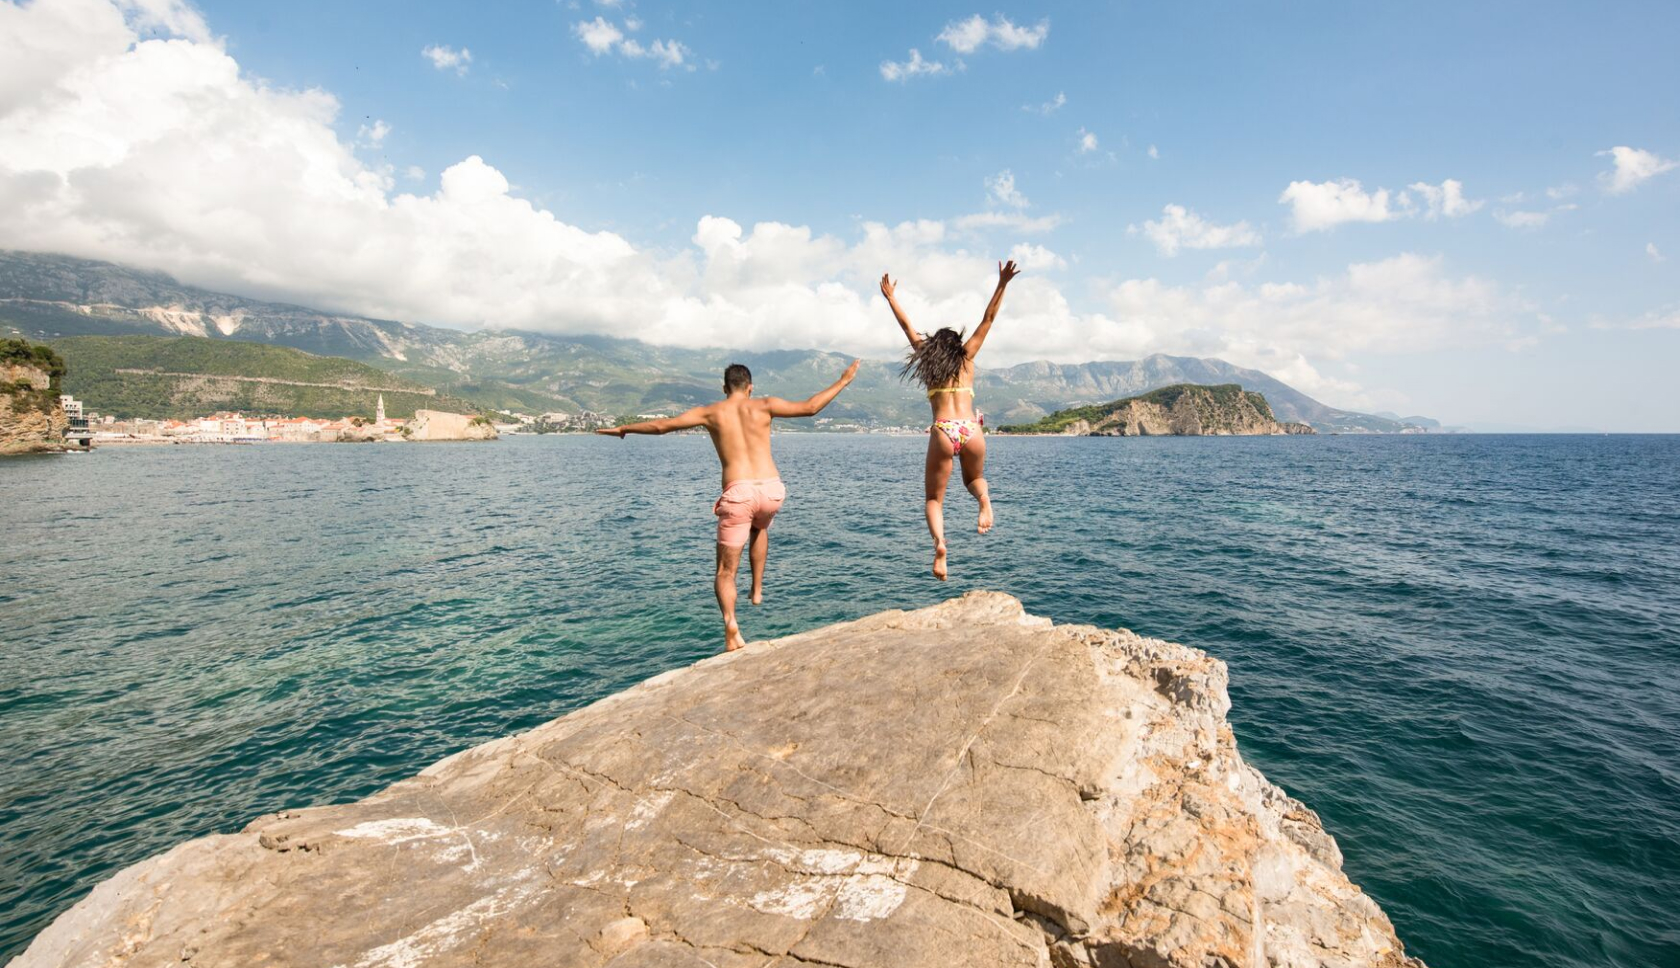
<point>1459,211</point>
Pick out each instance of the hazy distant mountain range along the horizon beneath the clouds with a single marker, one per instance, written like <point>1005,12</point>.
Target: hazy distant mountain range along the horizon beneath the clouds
<point>56,297</point>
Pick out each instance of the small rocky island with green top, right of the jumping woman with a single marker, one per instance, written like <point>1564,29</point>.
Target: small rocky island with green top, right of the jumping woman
<point>1179,411</point>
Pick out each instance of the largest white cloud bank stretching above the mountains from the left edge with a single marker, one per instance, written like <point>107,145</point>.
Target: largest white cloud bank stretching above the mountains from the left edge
<point>164,155</point>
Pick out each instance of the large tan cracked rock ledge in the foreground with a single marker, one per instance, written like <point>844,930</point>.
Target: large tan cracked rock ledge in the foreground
<point>960,786</point>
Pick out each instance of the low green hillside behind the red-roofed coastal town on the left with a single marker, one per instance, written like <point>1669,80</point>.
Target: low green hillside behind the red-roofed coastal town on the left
<point>179,377</point>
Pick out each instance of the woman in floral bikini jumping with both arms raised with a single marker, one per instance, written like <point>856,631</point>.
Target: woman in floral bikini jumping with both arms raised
<point>945,366</point>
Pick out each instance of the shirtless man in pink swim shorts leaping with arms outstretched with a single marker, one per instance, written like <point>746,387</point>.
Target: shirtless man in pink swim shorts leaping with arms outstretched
<point>753,493</point>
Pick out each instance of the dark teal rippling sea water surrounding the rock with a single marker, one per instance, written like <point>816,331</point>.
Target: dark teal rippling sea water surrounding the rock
<point>1462,651</point>
